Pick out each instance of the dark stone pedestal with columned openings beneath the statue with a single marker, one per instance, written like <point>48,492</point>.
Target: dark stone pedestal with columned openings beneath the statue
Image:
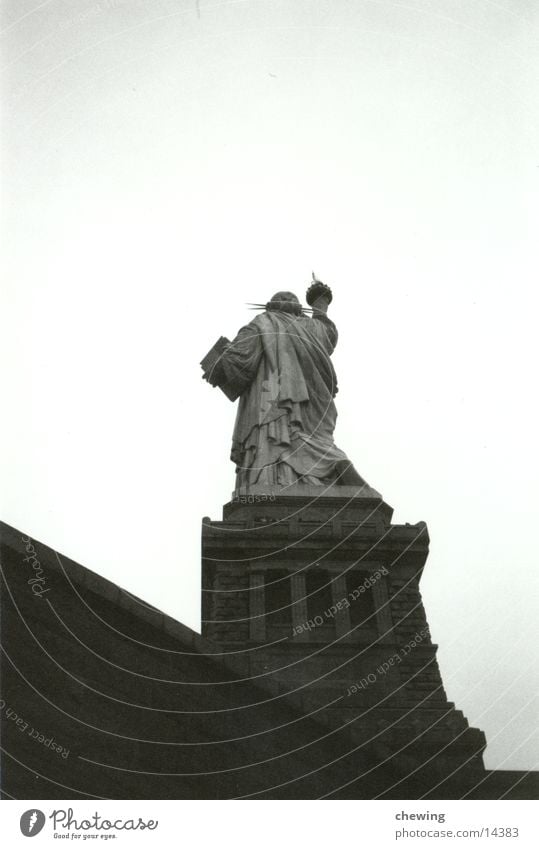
<point>321,595</point>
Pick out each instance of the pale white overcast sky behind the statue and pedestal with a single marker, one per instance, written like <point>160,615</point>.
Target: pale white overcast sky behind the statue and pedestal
<point>162,167</point>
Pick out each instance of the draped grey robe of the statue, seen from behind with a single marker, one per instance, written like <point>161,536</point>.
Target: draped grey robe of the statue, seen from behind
<point>286,417</point>
